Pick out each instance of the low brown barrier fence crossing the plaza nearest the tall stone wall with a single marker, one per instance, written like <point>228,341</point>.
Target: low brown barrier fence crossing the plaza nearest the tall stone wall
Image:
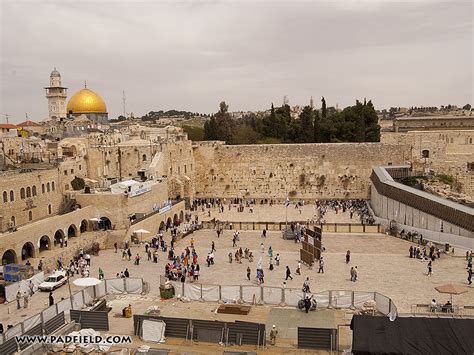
<point>281,226</point>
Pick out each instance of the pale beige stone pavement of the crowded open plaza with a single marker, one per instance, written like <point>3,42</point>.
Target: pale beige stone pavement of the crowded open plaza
<point>383,266</point>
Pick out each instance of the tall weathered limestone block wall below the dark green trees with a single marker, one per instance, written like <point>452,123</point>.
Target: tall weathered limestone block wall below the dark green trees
<point>306,171</point>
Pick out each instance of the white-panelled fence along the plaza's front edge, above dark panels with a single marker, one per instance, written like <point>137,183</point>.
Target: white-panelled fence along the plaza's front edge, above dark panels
<point>283,296</point>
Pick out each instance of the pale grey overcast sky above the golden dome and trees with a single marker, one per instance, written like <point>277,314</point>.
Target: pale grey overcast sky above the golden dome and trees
<point>193,54</point>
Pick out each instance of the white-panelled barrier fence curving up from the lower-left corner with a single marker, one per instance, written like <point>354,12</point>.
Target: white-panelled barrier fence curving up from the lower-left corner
<point>78,300</point>
